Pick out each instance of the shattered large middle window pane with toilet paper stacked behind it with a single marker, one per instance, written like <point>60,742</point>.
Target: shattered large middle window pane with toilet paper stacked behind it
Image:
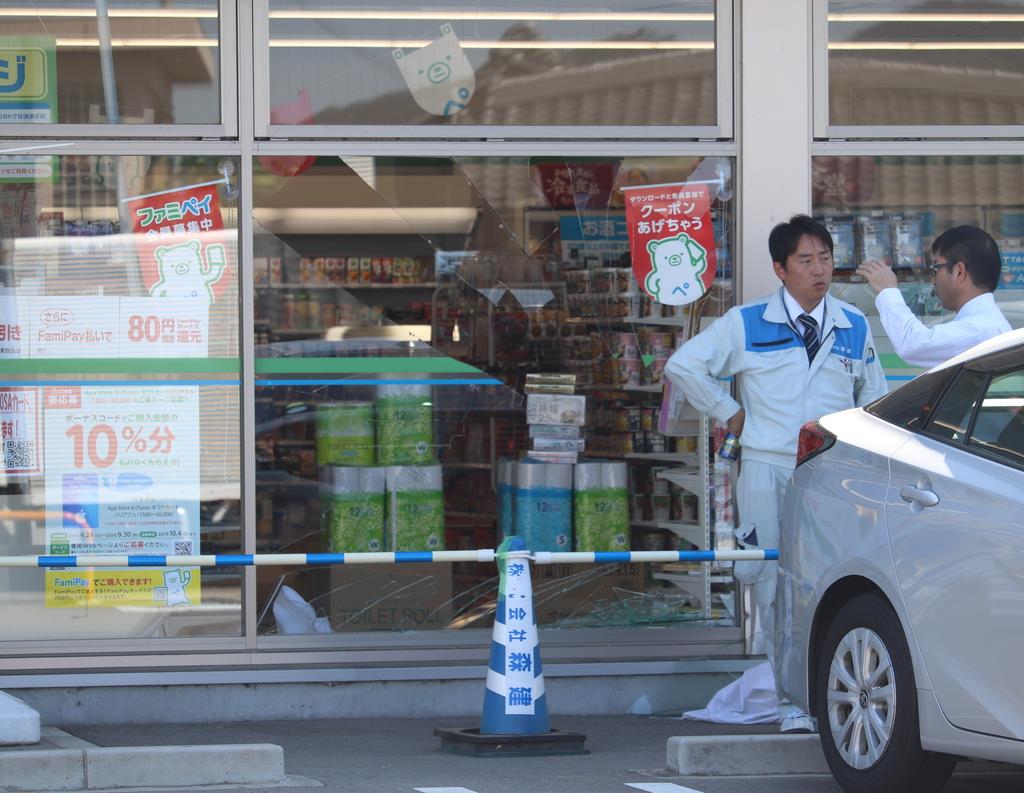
<point>407,311</point>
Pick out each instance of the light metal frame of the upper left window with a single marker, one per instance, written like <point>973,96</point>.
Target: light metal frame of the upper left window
<point>229,23</point>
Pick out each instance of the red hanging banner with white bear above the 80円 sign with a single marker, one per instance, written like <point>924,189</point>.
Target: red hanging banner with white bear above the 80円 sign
<point>183,248</point>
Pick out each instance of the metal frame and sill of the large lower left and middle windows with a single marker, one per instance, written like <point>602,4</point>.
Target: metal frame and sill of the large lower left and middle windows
<point>365,655</point>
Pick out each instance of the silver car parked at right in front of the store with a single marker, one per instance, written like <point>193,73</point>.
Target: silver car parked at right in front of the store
<point>901,602</point>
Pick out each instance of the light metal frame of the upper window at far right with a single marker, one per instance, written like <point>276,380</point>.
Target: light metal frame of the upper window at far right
<point>825,131</point>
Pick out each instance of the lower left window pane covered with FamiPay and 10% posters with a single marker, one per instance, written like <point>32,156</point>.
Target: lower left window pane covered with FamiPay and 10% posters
<point>120,397</point>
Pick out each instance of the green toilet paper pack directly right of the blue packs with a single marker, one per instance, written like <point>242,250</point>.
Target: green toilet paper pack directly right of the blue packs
<point>602,508</point>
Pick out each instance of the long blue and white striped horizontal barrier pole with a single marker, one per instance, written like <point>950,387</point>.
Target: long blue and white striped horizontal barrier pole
<point>394,558</point>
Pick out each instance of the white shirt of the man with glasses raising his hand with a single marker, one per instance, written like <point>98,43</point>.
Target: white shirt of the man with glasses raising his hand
<point>977,321</point>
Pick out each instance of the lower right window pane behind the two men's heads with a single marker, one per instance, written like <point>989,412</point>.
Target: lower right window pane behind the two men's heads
<point>892,208</point>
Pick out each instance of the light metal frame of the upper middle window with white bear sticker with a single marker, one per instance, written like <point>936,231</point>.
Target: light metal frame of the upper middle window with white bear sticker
<point>726,50</point>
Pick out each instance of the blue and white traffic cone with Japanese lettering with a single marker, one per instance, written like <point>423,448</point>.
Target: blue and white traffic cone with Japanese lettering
<point>515,701</point>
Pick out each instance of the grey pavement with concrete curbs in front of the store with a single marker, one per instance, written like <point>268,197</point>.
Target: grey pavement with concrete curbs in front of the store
<point>401,756</point>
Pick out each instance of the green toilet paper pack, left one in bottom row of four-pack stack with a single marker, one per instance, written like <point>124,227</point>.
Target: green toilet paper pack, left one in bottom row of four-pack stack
<point>353,502</point>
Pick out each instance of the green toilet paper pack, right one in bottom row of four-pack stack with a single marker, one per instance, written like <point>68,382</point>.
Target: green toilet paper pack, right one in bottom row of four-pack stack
<point>416,508</point>
